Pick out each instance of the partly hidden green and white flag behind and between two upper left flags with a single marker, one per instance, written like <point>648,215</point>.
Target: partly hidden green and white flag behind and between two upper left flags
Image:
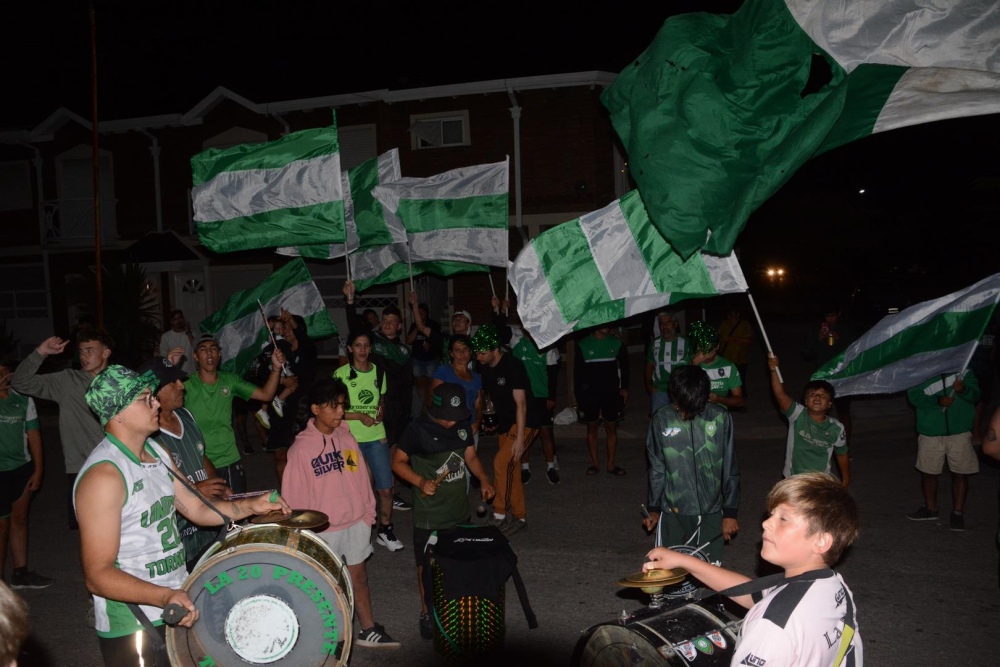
<point>362,210</point>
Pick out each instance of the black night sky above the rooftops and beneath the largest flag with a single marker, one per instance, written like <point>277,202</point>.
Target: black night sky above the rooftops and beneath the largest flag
<point>929,214</point>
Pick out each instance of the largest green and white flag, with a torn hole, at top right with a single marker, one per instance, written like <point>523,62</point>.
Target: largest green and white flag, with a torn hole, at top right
<point>720,111</point>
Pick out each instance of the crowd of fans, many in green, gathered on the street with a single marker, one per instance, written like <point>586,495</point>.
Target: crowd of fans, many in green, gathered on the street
<point>346,445</point>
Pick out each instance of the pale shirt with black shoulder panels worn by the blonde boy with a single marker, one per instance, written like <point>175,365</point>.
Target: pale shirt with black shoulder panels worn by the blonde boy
<point>802,624</point>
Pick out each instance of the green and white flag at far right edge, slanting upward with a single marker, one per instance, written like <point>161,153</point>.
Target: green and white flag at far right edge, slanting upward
<point>903,350</point>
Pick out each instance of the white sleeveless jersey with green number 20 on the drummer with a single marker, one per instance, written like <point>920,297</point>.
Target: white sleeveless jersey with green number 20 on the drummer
<point>151,547</point>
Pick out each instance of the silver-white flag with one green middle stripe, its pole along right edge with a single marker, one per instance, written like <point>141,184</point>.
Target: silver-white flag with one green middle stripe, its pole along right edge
<point>457,216</point>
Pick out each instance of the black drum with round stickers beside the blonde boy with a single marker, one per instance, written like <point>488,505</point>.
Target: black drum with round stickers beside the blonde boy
<point>693,633</point>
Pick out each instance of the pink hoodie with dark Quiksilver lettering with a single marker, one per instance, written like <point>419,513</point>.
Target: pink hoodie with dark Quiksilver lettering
<point>328,473</point>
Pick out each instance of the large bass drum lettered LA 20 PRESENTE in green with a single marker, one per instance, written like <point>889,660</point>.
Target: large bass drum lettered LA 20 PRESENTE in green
<point>267,594</point>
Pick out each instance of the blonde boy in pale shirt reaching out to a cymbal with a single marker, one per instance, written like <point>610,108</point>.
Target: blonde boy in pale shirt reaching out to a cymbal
<point>806,618</point>
